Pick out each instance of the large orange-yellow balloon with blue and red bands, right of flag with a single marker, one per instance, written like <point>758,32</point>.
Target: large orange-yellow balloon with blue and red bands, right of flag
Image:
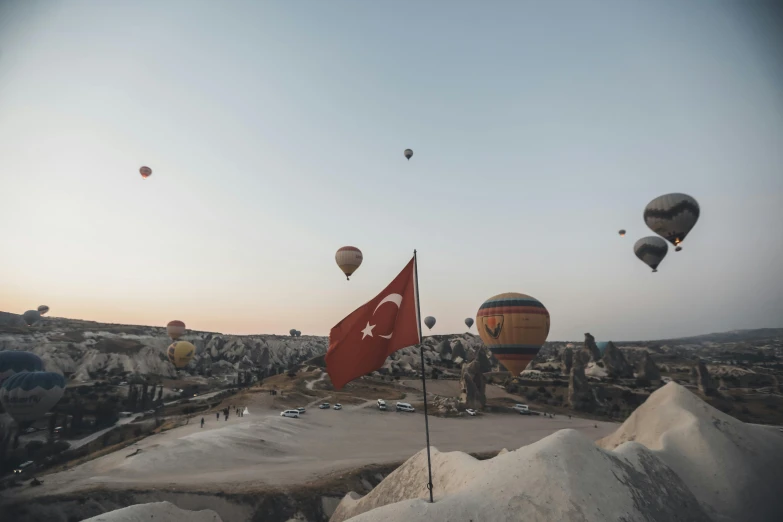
<point>514,327</point>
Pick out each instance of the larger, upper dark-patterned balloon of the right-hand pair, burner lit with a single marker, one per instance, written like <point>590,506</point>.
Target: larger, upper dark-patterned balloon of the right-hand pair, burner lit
<point>672,216</point>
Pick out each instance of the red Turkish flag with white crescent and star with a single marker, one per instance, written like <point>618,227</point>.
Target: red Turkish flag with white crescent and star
<point>360,343</point>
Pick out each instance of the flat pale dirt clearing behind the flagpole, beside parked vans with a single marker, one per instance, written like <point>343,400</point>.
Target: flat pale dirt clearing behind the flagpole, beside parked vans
<point>264,449</point>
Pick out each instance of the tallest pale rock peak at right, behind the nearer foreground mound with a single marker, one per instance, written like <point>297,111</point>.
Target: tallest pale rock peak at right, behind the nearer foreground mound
<point>733,468</point>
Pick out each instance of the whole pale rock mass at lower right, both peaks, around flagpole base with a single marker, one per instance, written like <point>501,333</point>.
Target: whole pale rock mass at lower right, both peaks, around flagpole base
<point>689,462</point>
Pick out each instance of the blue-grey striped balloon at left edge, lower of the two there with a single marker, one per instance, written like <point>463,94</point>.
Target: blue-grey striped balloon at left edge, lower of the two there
<point>27,396</point>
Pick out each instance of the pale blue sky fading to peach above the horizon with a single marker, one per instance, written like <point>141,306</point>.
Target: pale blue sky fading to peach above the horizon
<point>276,130</point>
